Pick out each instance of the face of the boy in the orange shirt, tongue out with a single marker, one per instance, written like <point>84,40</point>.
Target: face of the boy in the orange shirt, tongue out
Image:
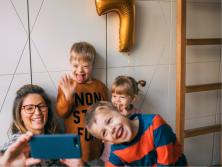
<point>82,71</point>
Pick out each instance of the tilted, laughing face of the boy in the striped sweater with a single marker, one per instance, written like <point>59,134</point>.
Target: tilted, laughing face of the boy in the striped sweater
<point>111,127</point>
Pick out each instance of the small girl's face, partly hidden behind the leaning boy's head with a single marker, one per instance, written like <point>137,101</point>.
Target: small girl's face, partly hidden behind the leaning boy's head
<point>122,102</point>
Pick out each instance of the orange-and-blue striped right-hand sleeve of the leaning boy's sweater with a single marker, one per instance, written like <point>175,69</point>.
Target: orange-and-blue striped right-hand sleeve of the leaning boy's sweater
<point>167,148</point>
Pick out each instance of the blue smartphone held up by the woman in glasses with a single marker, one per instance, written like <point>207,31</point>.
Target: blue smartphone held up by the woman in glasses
<point>55,146</point>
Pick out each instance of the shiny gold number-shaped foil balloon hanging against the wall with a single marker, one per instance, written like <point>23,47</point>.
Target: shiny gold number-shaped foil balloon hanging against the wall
<point>126,11</point>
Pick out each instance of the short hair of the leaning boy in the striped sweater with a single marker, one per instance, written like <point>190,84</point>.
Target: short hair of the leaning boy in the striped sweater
<point>101,106</point>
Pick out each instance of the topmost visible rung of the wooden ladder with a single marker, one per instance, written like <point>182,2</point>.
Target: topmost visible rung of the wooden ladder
<point>207,41</point>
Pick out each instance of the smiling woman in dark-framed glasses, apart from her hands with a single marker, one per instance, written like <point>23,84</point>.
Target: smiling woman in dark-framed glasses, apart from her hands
<point>32,112</point>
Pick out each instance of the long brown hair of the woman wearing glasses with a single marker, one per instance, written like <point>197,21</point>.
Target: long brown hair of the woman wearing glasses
<point>17,124</point>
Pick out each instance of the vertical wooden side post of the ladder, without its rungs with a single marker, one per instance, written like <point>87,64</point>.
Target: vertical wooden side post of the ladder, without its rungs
<point>180,68</point>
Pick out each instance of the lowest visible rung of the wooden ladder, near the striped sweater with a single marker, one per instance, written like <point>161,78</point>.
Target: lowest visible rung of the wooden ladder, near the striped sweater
<point>202,130</point>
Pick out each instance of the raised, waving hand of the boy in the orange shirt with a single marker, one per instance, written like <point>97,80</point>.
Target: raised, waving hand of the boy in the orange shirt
<point>68,87</point>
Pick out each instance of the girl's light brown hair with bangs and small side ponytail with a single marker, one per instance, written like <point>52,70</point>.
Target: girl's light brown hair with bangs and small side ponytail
<point>126,85</point>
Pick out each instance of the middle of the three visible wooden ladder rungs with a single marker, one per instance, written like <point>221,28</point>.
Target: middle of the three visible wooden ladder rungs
<point>203,87</point>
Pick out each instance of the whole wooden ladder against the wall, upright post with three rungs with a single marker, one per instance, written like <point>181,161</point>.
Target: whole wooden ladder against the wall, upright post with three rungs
<point>181,87</point>
